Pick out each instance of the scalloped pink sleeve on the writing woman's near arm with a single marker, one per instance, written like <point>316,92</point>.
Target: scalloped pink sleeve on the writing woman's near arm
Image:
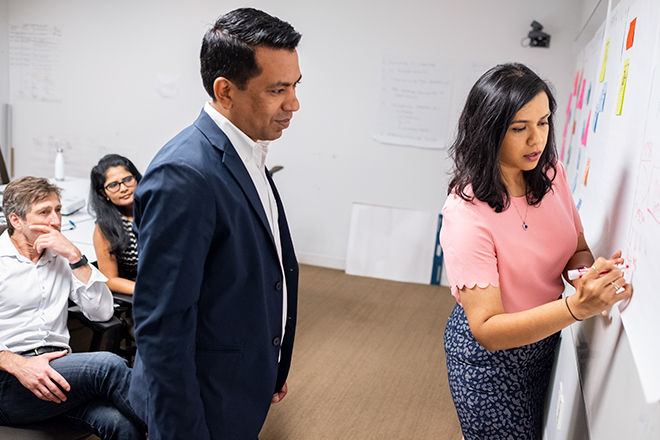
<point>468,246</point>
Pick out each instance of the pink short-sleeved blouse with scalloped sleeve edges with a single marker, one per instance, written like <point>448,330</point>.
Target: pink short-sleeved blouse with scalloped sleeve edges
<point>482,247</point>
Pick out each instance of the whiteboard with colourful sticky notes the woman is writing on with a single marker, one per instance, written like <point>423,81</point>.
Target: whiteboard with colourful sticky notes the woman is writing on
<point>611,148</point>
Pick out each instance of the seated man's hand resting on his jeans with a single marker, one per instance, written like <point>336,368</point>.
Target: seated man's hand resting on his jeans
<point>36,374</point>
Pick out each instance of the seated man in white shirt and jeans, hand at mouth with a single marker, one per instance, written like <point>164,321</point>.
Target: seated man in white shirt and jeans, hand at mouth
<point>40,270</point>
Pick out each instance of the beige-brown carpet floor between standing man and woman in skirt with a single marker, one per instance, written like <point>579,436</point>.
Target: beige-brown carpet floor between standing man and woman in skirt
<point>368,362</point>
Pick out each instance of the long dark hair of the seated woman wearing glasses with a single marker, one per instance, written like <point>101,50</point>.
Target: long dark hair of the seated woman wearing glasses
<point>108,215</point>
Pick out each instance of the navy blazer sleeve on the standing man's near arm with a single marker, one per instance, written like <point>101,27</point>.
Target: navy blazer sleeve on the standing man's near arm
<point>174,215</point>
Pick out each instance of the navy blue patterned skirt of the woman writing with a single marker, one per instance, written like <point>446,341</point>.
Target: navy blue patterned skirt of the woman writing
<point>500,394</point>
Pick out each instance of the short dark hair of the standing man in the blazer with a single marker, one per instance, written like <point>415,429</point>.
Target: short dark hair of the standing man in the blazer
<point>228,47</point>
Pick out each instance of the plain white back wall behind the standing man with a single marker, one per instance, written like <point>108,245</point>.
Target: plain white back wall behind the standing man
<point>114,53</point>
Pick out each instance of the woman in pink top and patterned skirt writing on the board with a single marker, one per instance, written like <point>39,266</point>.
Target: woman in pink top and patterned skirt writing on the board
<point>510,230</point>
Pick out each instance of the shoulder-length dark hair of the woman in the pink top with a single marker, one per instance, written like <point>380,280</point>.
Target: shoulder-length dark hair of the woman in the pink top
<point>490,107</point>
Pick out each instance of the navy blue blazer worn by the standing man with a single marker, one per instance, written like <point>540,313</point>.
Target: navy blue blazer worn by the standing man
<point>208,295</point>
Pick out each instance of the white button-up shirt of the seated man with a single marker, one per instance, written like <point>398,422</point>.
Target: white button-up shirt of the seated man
<point>34,299</point>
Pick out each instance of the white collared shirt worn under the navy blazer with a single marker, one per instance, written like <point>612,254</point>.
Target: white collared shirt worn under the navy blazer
<point>253,155</point>
